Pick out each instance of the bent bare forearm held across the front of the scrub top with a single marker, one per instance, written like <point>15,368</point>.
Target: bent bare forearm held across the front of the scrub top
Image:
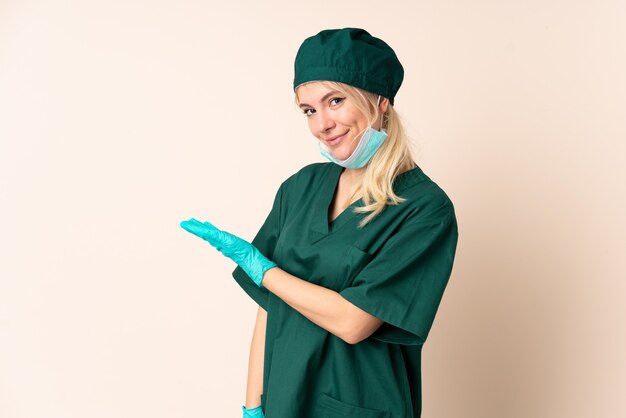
<point>323,306</point>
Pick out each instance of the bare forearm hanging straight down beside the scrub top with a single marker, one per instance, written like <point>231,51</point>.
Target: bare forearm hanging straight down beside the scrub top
<point>255,362</point>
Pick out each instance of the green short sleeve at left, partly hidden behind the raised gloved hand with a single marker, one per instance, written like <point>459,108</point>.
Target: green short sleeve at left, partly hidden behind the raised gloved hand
<point>265,242</point>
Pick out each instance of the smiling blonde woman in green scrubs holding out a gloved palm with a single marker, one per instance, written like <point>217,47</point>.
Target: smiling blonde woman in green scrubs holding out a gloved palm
<point>351,263</point>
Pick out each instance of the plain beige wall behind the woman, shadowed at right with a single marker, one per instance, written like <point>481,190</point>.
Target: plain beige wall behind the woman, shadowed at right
<point>119,119</point>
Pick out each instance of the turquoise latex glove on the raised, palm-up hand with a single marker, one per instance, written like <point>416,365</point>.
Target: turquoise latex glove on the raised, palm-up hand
<point>246,255</point>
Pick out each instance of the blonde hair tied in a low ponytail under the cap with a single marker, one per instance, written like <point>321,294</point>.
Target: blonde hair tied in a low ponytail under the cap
<point>392,158</point>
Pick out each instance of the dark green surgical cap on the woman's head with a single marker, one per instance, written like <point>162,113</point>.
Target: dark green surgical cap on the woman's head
<point>351,56</point>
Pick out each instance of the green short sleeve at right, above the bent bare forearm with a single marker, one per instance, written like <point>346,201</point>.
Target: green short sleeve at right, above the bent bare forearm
<point>404,283</point>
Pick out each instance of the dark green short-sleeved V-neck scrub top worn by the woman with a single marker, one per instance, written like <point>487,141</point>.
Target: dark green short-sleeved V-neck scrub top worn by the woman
<point>396,268</point>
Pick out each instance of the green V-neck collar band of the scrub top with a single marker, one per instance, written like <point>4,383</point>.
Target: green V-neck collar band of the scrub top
<point>321,227</point>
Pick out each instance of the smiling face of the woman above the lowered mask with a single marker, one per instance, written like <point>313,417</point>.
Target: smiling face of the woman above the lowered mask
<point>332,118</point>
